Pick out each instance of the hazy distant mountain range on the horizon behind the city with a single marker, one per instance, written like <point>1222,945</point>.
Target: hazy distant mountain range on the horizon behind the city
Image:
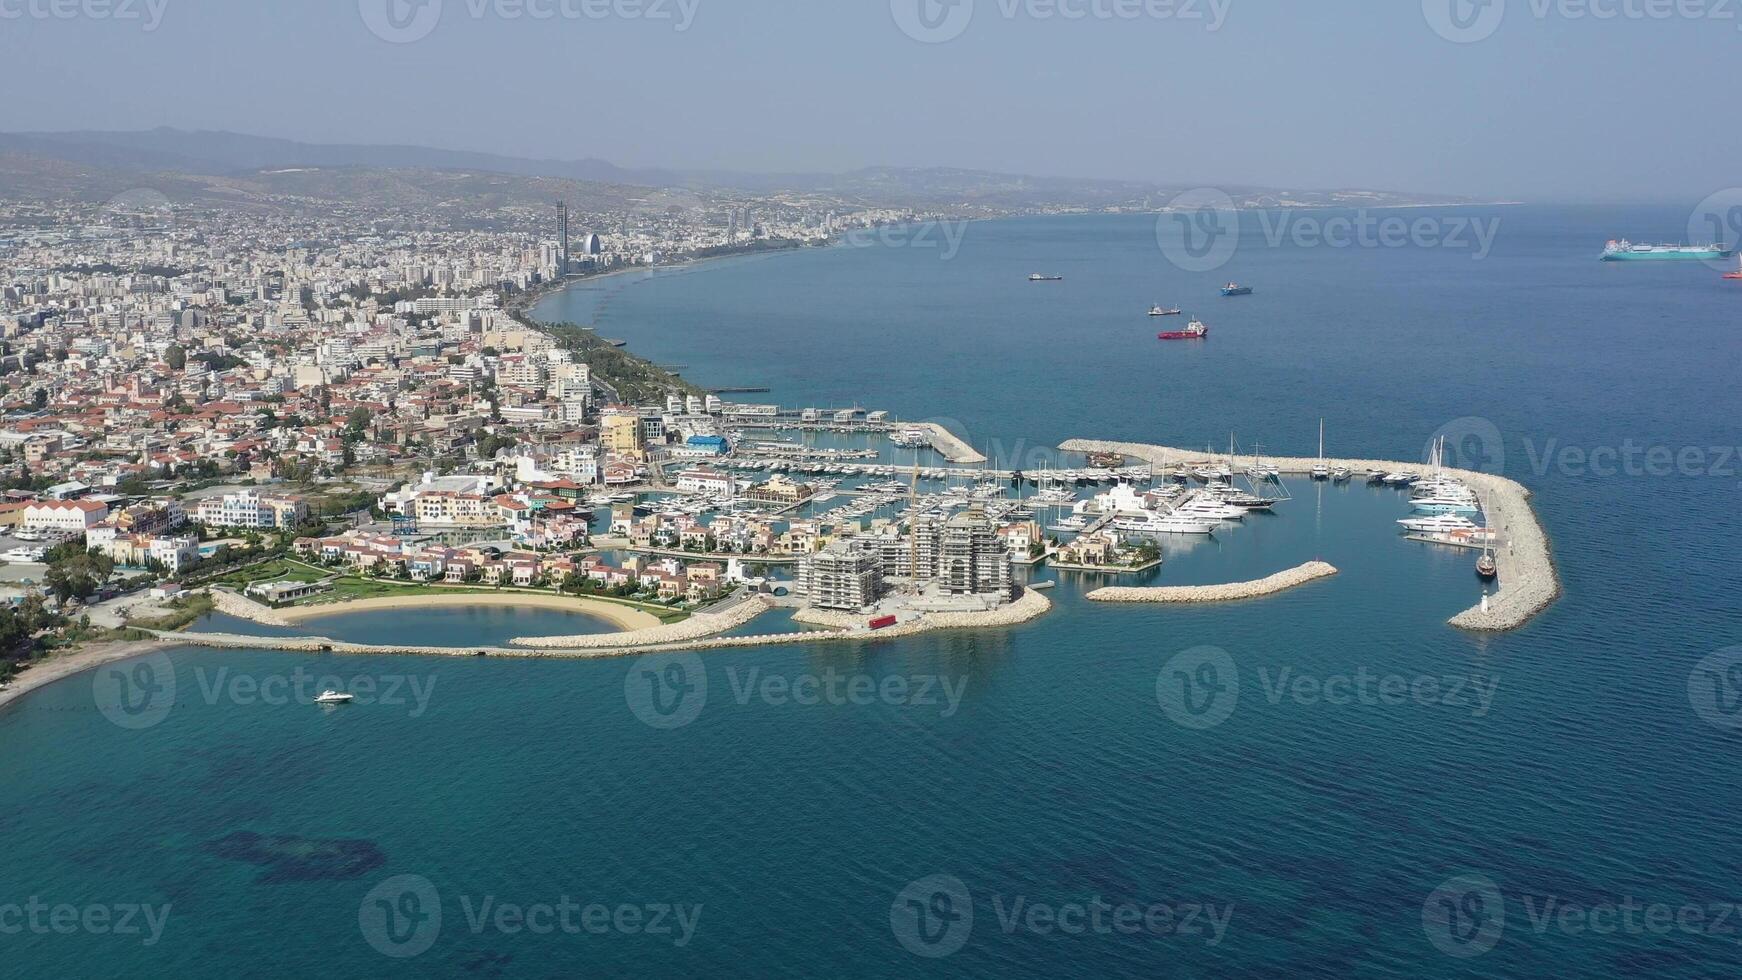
<point>203,164</point>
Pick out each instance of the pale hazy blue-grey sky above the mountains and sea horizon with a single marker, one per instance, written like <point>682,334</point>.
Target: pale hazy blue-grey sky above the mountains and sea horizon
<point>1553,104</point>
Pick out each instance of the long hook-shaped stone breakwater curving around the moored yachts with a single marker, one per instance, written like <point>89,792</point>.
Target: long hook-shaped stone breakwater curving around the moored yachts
<point>1529,581</point>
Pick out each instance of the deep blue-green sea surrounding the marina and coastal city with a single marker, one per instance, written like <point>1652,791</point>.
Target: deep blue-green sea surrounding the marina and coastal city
<point>1353,789</point>
